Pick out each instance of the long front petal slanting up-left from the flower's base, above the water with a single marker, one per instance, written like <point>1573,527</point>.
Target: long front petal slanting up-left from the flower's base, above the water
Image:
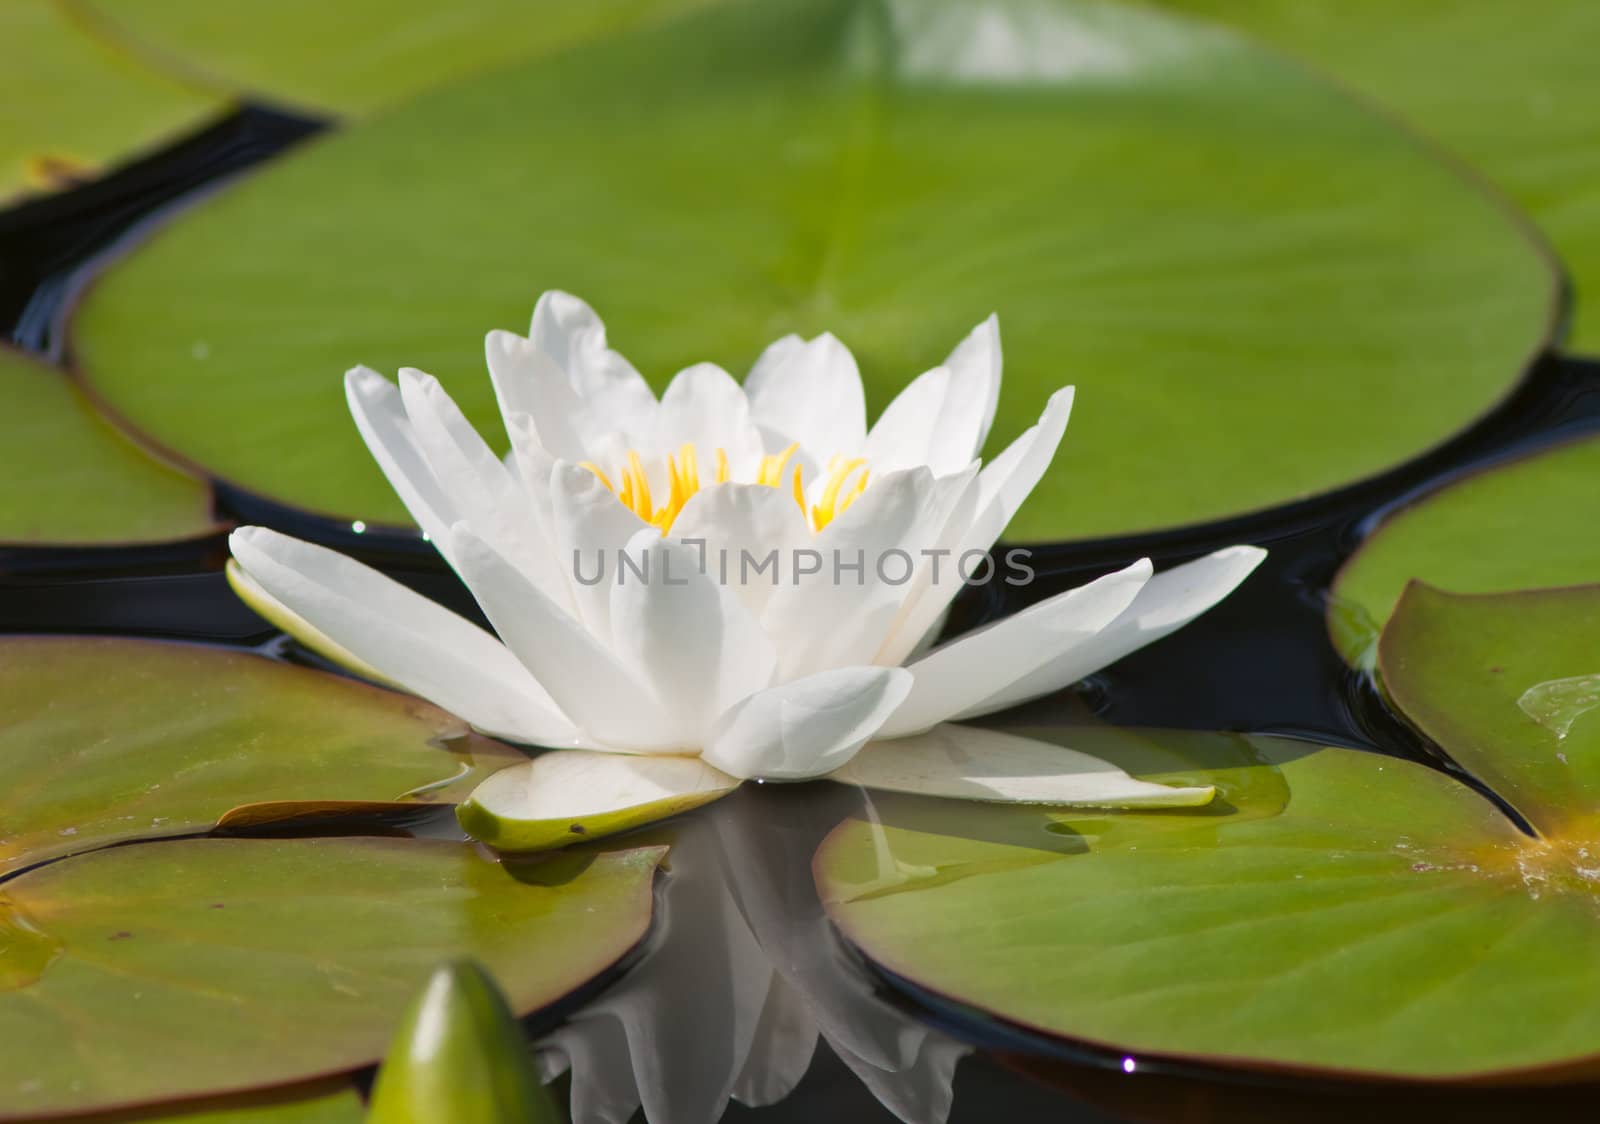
<point>596,689</point>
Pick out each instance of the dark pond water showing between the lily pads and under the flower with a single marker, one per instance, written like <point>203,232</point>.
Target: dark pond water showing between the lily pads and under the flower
<point>1258,664</point>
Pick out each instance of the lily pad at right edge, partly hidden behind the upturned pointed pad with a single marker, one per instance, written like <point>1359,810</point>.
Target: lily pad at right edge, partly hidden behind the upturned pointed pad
<point>1518,526</point>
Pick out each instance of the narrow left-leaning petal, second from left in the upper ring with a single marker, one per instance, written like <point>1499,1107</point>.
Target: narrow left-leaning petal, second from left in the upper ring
<point>484,491</point>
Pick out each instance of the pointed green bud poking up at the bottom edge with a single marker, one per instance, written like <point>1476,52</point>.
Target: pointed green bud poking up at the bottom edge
<point>460,1058</point>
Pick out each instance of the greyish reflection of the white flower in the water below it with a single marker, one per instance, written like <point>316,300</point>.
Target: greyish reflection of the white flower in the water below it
<point>745,979</point>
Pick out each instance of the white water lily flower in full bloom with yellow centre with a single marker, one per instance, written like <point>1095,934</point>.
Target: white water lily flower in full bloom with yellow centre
<point>782,675</point>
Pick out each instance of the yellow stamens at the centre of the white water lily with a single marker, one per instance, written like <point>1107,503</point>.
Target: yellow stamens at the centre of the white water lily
<point>844,481</point>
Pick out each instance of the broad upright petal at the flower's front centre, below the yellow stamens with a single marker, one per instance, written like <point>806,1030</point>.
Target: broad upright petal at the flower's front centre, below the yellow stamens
<point>684,635</point>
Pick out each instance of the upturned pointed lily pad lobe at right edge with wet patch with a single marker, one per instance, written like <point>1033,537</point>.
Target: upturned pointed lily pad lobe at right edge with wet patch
<point>1510,686</point>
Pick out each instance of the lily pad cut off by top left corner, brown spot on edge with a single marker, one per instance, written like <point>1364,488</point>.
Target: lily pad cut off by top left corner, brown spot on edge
<point>73,105</point>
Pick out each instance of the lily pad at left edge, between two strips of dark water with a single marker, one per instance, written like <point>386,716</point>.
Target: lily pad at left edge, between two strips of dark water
<point>100,488</point>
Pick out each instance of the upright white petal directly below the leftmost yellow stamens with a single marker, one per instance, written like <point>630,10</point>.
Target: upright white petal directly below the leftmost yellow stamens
<point>590,528</point>
